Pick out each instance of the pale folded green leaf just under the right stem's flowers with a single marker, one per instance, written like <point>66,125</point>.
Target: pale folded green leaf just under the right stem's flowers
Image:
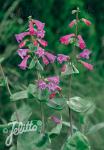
<point>70,69</point>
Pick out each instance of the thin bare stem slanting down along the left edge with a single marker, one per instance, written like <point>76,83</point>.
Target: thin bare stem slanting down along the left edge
<point>9,91</point>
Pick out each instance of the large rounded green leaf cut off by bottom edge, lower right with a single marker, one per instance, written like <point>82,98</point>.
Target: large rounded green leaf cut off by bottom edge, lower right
<point>77,142</point>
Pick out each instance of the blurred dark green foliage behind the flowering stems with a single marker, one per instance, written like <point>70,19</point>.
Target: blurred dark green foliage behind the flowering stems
<point>56,14</point>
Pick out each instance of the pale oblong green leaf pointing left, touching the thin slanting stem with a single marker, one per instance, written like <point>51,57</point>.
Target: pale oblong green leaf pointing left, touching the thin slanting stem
<point>19,95</point>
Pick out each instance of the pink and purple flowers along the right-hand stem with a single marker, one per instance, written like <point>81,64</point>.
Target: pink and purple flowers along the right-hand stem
<point>78,41</point>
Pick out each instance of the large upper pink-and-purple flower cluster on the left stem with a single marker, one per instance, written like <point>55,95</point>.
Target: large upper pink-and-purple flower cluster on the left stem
<point>34,36</point>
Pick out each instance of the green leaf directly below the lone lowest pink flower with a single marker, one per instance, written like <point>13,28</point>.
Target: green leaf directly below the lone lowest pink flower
<point>55,131</point>
